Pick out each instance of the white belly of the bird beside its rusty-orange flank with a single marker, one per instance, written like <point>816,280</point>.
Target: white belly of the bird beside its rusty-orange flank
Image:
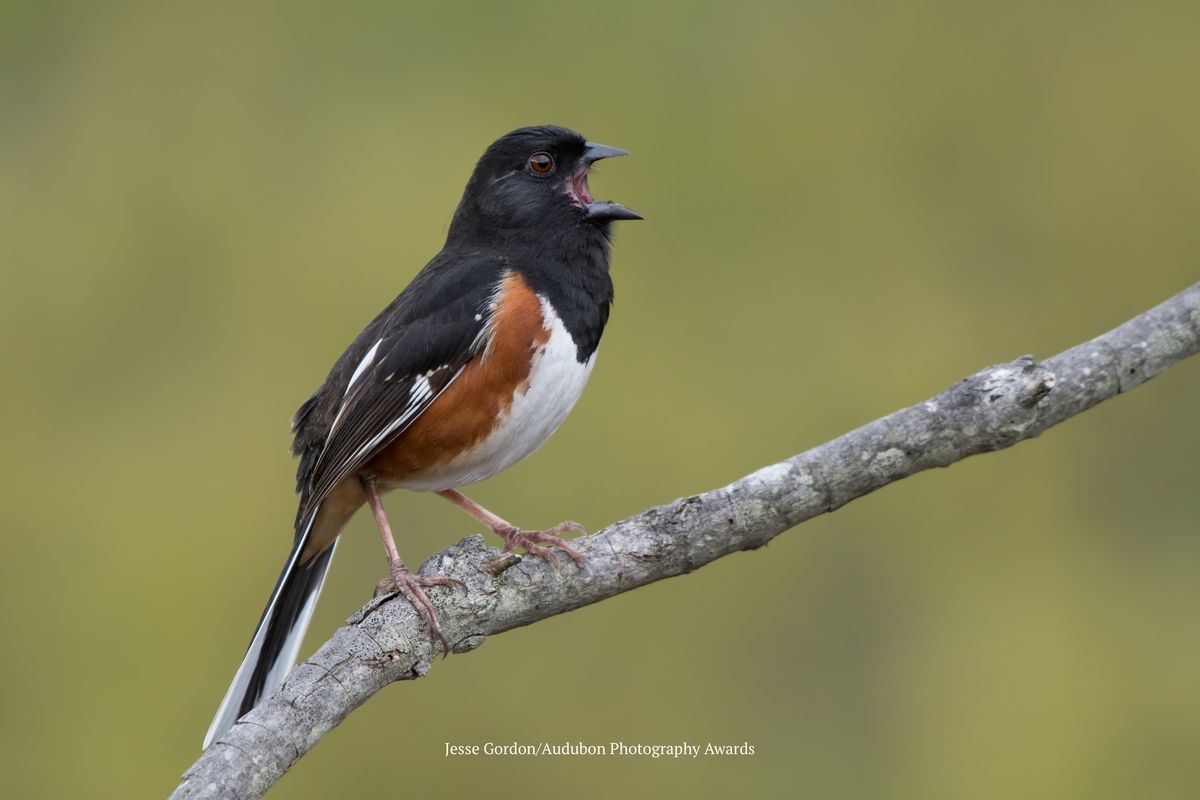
<point>556,382</point>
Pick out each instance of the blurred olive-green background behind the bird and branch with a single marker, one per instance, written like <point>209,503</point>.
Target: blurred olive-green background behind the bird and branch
<point>849,208</point>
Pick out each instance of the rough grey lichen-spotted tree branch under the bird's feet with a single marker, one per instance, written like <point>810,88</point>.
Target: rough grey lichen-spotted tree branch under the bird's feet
<point>386,642</point>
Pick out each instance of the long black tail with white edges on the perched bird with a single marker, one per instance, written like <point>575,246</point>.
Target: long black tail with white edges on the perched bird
<point>278,637</point>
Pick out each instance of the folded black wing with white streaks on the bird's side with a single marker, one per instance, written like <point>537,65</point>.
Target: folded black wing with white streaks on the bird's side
<point>395,369</point>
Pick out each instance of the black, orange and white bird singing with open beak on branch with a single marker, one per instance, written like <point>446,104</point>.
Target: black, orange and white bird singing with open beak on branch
<point>465,374</point>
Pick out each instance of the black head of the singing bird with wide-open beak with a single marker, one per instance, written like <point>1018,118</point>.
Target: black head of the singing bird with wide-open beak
<point>536,179</point>
